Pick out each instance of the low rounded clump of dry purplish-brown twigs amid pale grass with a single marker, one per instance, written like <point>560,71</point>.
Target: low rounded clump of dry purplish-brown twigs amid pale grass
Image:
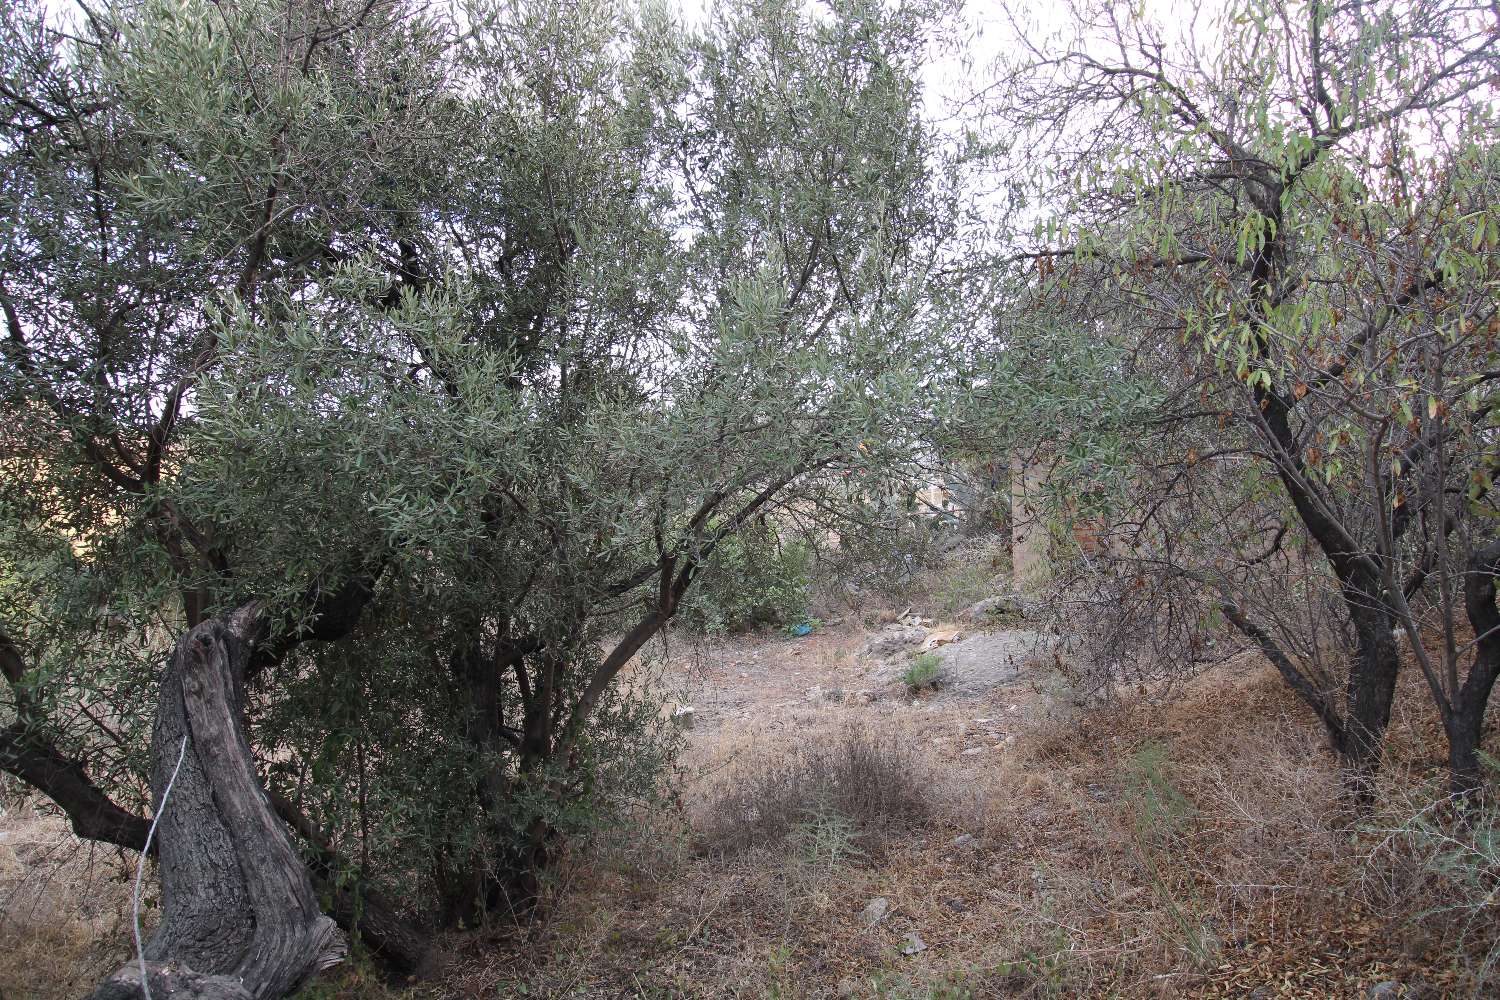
<point>856,785</point>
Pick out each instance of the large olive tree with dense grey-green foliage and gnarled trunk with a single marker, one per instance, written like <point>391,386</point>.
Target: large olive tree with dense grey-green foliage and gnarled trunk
<point>383,380</point>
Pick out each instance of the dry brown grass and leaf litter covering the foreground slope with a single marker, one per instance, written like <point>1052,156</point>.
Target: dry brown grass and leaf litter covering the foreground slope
<point>1078,884</point>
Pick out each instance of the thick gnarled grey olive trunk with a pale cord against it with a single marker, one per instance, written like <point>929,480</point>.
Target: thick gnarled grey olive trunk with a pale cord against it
<point>239,915</point>
